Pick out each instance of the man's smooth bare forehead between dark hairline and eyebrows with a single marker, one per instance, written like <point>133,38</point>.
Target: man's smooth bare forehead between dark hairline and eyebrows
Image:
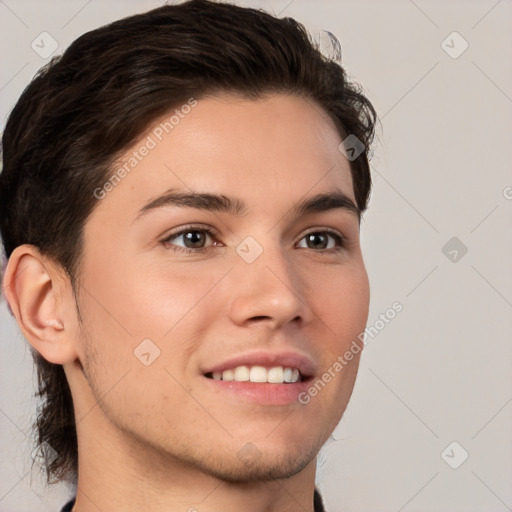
<point>279,148</point>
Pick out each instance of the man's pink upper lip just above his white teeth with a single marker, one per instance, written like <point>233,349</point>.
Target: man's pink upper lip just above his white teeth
<point>288,359</point>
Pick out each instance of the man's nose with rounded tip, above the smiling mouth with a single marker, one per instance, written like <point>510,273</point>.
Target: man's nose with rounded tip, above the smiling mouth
<point>268,291</point>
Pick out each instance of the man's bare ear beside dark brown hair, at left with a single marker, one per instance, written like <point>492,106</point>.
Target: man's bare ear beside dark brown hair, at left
<point>38,291</point>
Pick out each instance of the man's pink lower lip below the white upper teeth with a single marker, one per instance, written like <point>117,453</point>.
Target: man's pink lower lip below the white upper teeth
<point>262,393</point>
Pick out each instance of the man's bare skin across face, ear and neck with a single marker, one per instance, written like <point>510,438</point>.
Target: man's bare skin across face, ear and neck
<point>158,437</point>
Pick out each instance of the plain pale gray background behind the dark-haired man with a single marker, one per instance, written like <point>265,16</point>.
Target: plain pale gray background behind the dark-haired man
<point>435,384</point>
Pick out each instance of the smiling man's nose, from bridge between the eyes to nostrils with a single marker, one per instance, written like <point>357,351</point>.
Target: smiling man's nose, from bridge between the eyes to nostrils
<point>268,284</point>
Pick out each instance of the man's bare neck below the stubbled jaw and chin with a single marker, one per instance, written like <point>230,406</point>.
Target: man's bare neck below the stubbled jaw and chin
<point>119,472</point>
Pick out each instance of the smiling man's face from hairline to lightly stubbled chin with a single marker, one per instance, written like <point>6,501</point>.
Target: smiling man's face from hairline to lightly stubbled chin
<point>271,287</point>
